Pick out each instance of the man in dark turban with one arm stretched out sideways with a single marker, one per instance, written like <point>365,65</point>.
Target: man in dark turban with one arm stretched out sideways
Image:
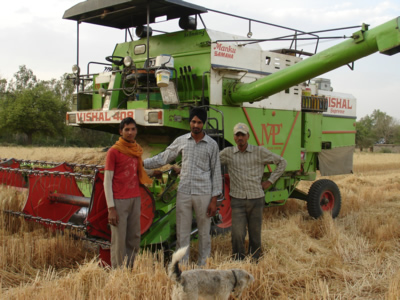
<point>200,182</point>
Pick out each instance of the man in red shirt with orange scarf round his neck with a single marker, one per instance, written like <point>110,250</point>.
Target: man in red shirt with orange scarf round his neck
<point>123,173</point>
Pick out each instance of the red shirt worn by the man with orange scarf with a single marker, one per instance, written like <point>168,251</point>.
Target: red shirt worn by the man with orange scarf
<point>125,180</point>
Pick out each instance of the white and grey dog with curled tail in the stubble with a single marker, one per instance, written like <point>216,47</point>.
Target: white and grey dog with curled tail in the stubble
<point>208,284</point>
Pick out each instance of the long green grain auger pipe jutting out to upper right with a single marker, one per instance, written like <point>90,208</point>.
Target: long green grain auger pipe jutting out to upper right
<point>384,38</point>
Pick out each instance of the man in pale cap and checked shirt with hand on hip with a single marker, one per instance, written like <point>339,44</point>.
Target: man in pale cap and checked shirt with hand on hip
<point>246,164</point>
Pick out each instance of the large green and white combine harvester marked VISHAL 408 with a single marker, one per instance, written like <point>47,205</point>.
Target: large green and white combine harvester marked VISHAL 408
<point>157,77</point>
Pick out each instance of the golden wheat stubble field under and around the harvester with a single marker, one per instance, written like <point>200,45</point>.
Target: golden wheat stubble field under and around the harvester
<point>355,256</point>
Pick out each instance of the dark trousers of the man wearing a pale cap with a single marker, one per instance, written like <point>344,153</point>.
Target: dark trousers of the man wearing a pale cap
<point>246,213</point>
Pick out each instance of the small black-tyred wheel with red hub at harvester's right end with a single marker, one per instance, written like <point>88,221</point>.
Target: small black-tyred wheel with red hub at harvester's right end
<point>324,196</point>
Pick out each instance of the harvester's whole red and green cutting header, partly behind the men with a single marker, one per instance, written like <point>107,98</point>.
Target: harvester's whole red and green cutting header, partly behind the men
<point>71,196</point>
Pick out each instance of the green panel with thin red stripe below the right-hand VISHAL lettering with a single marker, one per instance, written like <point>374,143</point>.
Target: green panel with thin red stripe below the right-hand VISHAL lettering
<point>340,132</point>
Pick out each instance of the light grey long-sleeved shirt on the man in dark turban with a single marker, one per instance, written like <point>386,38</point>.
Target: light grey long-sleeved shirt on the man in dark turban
<point>201,169</point>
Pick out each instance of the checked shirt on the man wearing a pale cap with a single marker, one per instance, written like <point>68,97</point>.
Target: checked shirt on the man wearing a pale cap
<point>246,169</point>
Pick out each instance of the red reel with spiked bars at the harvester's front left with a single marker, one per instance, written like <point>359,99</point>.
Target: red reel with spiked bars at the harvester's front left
<point>59,198</point>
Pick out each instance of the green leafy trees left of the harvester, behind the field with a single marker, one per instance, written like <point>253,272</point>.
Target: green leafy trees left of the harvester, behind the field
<point>33,111</point>
